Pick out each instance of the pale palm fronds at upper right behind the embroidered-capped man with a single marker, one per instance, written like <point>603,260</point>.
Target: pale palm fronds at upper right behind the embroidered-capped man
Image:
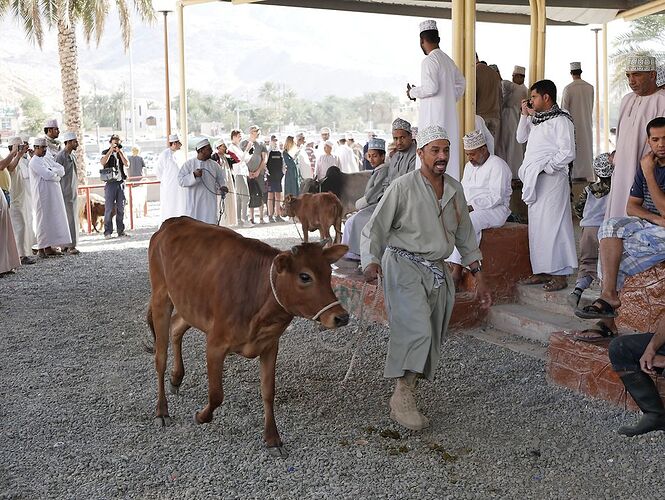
<point>644,36</point>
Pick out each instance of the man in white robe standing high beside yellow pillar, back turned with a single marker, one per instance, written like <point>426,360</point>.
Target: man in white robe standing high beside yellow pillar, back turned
<point>441,86</point>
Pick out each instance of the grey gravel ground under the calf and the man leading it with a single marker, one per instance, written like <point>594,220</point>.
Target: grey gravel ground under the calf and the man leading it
<point>78,395</point>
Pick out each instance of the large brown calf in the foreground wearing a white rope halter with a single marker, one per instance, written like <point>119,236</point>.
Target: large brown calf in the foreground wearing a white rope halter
<point>242,293</point>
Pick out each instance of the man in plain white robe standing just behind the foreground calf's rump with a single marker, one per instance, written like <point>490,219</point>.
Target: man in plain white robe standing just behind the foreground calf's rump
<point>171,195</point>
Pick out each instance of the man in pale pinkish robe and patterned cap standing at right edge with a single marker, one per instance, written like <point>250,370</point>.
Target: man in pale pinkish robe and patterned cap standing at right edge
<point>644,103</point>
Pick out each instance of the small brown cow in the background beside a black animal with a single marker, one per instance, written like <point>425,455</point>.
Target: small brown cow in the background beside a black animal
<point>316,211</point>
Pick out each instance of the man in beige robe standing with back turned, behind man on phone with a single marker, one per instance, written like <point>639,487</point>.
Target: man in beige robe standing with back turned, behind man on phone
<point>577,99</point>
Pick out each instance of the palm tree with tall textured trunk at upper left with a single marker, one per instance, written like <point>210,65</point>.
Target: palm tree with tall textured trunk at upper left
<point>65,15</point>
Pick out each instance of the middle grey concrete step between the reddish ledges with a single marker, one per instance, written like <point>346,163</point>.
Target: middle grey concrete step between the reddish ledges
<point>533,322</point>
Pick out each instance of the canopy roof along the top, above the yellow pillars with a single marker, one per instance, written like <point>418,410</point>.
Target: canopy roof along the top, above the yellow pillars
<point>559,12</point>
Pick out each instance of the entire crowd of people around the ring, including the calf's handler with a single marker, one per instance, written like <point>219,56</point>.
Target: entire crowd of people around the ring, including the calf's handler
<point>418,227</point>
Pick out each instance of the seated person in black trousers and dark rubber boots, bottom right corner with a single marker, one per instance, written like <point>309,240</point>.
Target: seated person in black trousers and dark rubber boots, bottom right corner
<point>635,358</point>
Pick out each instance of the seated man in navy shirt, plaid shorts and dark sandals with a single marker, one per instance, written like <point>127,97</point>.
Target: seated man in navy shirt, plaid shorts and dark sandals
<point>630,245</point>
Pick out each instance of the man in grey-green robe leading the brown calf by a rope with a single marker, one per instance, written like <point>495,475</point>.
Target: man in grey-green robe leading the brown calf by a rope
<point>418,221</point>
